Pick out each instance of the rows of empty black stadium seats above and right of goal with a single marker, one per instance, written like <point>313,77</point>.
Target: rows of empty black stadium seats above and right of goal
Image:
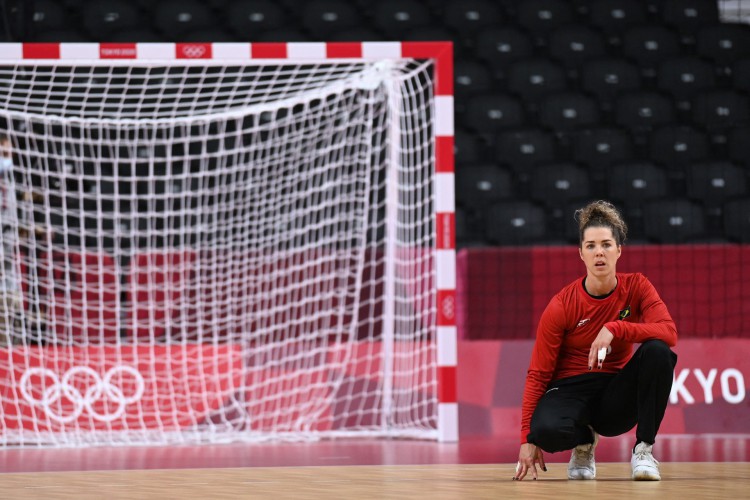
<point>648,99</point>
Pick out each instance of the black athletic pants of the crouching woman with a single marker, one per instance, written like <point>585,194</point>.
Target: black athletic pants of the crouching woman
<point>611,403</point>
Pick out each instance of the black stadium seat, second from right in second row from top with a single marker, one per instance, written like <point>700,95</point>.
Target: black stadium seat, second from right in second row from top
<point>649,45</point>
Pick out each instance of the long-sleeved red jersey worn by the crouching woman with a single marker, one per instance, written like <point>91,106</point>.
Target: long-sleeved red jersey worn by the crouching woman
<point>633,312</point>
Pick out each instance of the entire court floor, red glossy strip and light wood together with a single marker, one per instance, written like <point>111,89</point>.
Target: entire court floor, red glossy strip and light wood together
<point>698,466</point>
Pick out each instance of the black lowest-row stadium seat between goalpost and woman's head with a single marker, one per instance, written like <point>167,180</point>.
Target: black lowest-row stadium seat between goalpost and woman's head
<point>515,223</point>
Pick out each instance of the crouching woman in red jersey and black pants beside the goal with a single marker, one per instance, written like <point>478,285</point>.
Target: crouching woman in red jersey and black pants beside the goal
<point>584,380</point>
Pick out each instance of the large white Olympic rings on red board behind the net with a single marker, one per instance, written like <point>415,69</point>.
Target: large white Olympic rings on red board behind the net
<point>53,395</point>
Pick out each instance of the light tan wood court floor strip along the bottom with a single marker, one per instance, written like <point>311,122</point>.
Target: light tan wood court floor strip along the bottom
<point>683,481</point>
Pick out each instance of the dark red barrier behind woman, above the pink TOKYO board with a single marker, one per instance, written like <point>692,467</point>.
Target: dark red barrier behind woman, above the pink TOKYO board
<point>501,292</point>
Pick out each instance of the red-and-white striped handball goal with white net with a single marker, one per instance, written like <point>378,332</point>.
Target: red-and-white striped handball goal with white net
<point>248,242</point>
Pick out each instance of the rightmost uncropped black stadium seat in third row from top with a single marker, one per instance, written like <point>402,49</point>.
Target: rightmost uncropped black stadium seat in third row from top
<point>685,76</point>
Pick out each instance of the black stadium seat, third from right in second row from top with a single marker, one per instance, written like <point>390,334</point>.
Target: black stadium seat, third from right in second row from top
<point>573,44</point>
